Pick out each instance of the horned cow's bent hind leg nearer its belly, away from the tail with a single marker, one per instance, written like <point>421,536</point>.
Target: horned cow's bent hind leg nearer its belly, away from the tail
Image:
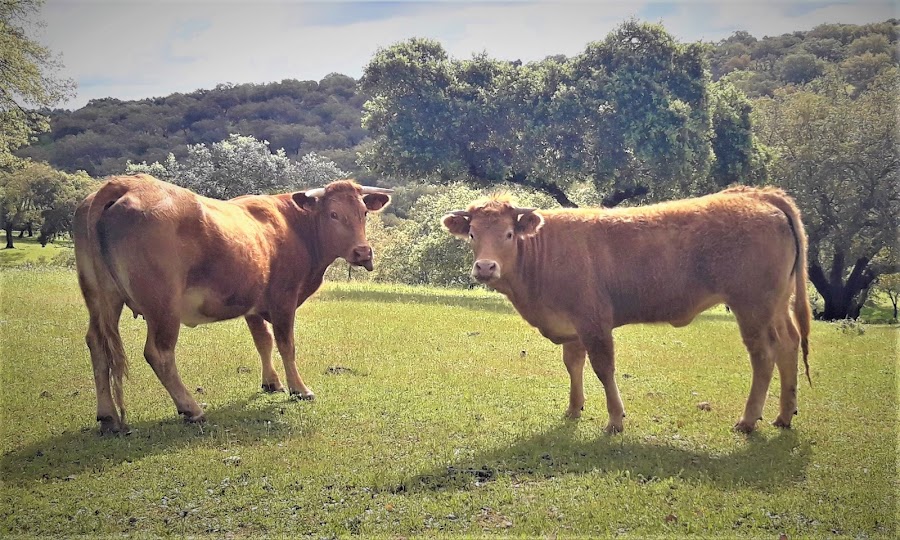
<point>162,334</point>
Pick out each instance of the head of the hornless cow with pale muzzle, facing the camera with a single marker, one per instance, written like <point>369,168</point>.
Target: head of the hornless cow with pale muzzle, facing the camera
<point>493,227</point>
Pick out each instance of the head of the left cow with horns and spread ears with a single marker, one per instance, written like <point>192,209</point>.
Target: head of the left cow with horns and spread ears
<point>340,210</point>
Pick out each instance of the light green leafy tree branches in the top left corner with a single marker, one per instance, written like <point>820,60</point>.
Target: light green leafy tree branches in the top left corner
<point>27,79</point>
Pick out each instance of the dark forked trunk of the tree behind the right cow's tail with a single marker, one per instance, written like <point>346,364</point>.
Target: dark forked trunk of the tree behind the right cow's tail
<point>840,297</point>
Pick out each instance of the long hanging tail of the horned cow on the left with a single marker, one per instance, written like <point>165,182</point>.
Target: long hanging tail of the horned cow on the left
<point>99,282</point>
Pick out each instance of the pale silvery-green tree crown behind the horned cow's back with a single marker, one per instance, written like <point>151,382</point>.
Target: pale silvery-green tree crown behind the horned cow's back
<point>240,165</point>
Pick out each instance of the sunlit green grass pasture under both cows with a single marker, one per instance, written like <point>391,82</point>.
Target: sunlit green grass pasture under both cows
<point>449,423</point>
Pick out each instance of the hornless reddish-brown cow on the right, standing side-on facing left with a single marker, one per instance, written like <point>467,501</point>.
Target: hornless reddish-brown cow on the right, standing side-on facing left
<point>577,274</point>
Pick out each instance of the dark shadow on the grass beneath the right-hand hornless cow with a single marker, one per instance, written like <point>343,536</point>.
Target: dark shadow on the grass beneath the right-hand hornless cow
<point>760,463</point>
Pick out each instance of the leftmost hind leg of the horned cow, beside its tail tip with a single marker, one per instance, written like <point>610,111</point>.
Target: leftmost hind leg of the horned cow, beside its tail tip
<point>103,341</point>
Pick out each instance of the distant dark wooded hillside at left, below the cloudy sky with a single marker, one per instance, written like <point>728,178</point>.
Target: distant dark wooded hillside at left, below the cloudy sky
<point>297,116</point>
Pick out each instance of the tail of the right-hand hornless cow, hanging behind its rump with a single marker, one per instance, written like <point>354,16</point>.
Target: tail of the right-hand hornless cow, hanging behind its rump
<point>802,311</point>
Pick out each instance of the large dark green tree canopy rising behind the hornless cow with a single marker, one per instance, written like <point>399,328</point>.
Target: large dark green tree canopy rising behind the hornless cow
<point>631,114</point>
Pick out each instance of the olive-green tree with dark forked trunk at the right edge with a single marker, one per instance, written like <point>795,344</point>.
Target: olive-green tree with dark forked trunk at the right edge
<point>839,158</point>
